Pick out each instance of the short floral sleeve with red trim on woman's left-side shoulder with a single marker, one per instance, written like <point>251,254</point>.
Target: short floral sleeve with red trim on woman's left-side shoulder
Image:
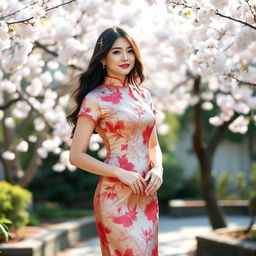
<point>90,107</point>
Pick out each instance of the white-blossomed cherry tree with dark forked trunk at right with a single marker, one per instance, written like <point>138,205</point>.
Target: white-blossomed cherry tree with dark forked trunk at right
<point>219,55</point>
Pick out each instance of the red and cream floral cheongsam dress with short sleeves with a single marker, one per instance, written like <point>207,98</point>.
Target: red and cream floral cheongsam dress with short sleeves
<point>124,118</point>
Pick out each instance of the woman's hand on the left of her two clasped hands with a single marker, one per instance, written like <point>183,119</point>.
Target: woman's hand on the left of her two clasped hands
<point>132,179</point>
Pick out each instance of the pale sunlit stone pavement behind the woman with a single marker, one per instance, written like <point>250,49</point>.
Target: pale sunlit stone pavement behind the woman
<point>176,236</point>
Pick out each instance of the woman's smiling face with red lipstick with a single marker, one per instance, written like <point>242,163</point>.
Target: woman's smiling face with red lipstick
<point>120,59</point>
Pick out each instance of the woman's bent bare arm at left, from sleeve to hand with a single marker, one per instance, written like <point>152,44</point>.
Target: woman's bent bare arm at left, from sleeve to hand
<point>82,160</point>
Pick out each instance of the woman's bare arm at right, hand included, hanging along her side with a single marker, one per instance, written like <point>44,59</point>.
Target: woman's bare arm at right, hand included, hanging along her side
<point>156,173</point>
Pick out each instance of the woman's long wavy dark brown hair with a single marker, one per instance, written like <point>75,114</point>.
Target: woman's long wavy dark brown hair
<point>95,73</point>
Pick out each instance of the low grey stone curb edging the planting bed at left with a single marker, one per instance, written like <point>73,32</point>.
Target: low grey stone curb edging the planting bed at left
<point>50,241</point>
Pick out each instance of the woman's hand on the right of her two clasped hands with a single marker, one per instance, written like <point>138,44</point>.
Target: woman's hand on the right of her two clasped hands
<point>156,180</point>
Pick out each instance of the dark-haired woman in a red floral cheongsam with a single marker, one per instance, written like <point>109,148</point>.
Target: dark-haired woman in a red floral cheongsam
<point>110,102</point>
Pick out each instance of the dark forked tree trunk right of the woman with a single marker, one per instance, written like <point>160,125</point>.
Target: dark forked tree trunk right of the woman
<point>205,155</point>
